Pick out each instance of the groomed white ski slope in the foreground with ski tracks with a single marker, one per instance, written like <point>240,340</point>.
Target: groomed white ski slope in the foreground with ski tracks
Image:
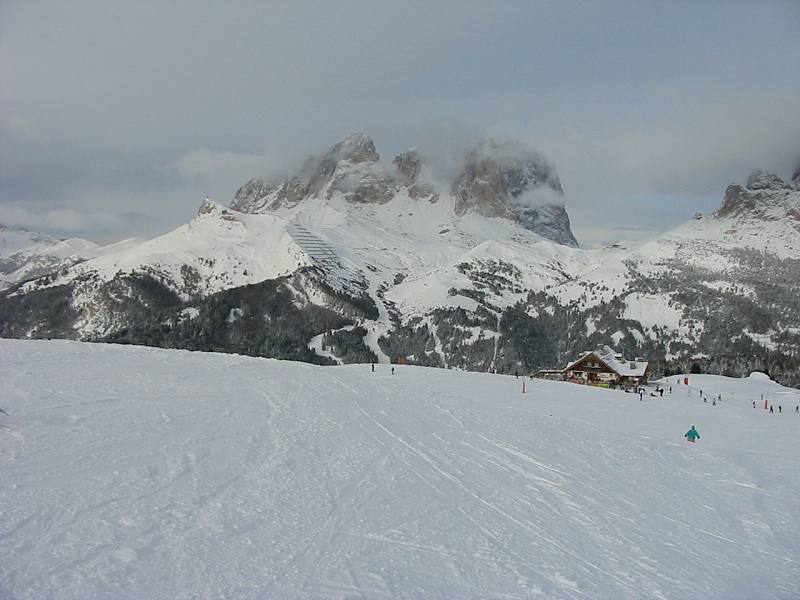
<point>133,472</point>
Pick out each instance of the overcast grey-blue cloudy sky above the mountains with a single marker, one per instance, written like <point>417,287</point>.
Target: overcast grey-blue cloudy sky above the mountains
<point>117,118</point>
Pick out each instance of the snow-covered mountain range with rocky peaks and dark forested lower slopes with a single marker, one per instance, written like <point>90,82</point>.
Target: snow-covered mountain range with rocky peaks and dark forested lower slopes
<point>355,260</point>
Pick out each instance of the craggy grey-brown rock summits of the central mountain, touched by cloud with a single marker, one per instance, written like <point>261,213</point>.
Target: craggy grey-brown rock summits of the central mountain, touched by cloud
<point>499,180</point>
